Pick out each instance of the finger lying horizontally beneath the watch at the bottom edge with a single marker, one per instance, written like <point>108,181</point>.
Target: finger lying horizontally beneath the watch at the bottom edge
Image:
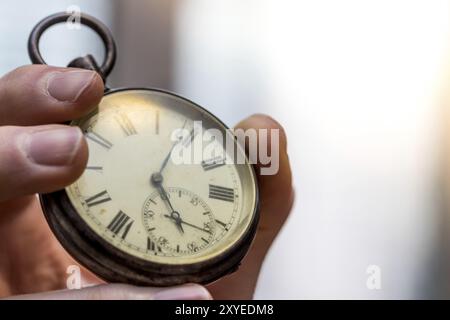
<point>122,292</point>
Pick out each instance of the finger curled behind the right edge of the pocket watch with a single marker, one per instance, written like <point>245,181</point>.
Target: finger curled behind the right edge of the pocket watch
<point>276,199</point>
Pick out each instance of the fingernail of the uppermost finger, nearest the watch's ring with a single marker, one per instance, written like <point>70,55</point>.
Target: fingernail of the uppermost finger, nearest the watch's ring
<point>68,86</point>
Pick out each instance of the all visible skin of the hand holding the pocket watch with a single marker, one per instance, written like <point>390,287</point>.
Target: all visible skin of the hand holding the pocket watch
<point>32,262</point>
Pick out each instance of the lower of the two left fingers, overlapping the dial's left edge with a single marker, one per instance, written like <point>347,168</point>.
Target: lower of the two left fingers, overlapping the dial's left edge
<point>39,159</point>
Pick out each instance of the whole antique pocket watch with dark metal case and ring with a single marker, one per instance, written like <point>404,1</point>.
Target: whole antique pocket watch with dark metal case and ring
<point>137,216</point>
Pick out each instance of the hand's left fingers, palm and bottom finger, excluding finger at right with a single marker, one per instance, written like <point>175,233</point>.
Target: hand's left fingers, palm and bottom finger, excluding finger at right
<point>37,157</point>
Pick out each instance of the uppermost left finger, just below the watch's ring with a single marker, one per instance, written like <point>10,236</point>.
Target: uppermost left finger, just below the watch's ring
<point>40,94</point>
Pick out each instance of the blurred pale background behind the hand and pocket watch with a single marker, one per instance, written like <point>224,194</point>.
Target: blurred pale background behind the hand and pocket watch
<point>357,85</point>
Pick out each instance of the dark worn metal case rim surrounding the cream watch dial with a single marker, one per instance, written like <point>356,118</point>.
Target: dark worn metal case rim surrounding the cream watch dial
<point>114,265</point>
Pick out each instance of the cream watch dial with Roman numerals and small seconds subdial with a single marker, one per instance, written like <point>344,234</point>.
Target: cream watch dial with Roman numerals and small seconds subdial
<point>160,184</point>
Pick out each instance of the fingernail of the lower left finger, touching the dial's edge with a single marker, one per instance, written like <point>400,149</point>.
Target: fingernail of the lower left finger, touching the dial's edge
<point>53,147</point>
